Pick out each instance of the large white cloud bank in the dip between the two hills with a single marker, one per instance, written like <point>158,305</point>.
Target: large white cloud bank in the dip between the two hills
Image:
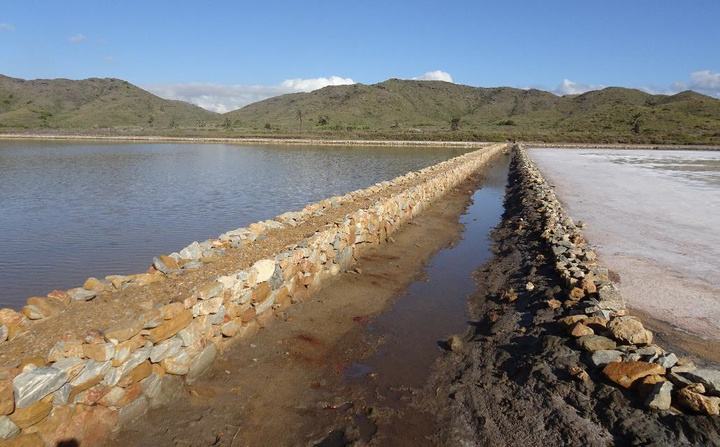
<point>223,98</point>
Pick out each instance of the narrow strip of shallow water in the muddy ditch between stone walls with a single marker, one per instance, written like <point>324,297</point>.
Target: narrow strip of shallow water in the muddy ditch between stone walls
<point>436,306</point>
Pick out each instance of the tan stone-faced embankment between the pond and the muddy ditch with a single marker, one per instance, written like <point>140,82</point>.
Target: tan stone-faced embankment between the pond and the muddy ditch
<point>92,381</point>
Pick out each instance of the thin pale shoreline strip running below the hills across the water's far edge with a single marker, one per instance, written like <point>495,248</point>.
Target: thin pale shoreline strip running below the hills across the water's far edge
<point>347,142</point>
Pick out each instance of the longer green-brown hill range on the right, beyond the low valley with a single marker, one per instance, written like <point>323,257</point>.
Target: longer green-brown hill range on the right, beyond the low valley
<point>427,109</point>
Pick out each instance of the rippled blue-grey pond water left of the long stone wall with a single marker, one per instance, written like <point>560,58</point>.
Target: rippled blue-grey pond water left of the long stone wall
<point>69,211</point>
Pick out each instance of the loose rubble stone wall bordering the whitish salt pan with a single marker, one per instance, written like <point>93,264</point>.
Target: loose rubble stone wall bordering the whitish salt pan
<point>594,314</point>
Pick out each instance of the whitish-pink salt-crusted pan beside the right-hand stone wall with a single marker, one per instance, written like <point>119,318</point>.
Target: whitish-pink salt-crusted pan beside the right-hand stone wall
<point>655,216</point>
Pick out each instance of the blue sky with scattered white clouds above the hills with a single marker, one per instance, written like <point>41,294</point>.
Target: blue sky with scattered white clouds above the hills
<point>222,55</point>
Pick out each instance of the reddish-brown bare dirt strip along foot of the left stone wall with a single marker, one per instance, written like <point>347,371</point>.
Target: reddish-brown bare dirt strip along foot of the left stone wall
<point>286,386</point>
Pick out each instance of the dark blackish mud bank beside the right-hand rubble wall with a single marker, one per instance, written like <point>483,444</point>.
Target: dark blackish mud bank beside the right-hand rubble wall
<point>510,385</point>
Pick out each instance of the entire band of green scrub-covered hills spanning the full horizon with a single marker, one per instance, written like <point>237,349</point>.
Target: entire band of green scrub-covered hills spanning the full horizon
<point>392,109</point>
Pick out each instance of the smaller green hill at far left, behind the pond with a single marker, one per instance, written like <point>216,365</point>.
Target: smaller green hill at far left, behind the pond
<point>90,104</point>
